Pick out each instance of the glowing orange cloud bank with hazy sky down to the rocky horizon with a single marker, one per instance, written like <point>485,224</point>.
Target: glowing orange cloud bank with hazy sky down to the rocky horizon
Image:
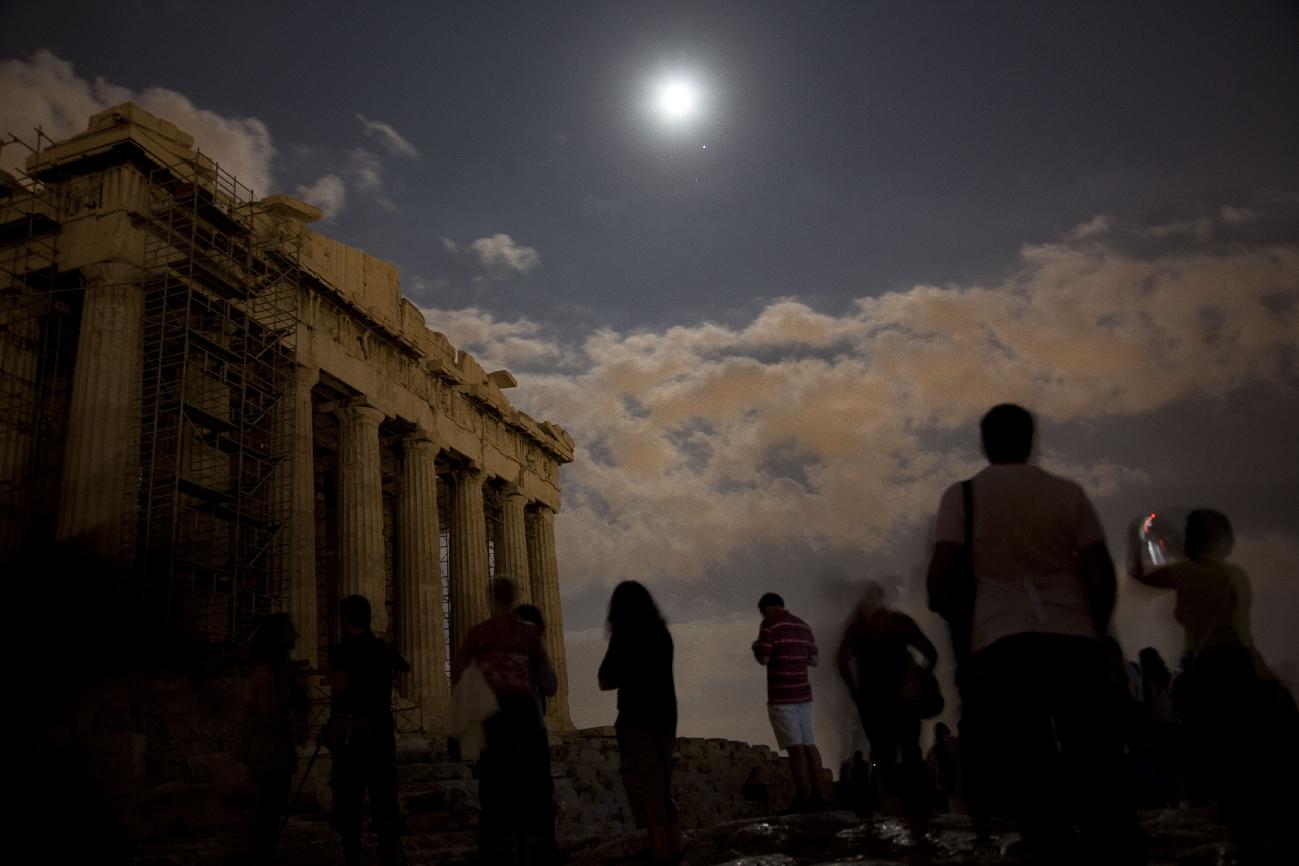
<point>720,460</point>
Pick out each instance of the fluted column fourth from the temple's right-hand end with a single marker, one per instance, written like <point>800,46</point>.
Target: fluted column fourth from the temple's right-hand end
<point>419,586</point>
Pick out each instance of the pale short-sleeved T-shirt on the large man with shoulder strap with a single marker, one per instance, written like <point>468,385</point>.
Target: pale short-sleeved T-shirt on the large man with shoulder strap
<point>1029,528</point>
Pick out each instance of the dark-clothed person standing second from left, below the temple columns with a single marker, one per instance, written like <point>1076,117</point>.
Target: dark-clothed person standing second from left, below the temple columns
<point>362,734</point>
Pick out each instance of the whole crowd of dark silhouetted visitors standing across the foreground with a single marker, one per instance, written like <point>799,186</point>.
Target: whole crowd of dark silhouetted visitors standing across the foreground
<point>1058,730</point>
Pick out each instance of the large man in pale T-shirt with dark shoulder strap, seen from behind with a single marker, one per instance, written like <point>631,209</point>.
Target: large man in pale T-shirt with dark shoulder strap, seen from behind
<point>1039,707</point>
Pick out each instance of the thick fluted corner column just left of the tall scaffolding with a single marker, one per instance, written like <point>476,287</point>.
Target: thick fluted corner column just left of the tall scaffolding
<point>101,486</point>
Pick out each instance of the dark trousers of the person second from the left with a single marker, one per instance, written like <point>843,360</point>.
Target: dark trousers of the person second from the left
<point>367,763</point>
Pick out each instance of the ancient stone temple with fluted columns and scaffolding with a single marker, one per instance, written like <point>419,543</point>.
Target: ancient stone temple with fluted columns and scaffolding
<point>249,416</point>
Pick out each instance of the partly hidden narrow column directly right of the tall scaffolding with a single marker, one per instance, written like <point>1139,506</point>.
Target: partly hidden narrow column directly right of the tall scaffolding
<point>301,549</point>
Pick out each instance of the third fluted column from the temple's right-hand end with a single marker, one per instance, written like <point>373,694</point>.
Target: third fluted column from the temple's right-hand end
<point>471,597</point>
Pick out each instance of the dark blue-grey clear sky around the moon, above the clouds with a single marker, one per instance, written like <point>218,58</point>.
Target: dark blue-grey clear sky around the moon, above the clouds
<point>851,147</point>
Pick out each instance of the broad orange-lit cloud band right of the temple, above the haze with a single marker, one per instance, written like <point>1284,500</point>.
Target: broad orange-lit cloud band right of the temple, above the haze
<point>820,430</point>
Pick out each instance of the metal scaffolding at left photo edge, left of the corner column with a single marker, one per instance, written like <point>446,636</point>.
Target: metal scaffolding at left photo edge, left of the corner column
<point>36,364</point>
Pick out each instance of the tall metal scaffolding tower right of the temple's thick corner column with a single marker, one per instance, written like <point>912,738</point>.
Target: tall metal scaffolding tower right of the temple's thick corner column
<point>220,319</point>
